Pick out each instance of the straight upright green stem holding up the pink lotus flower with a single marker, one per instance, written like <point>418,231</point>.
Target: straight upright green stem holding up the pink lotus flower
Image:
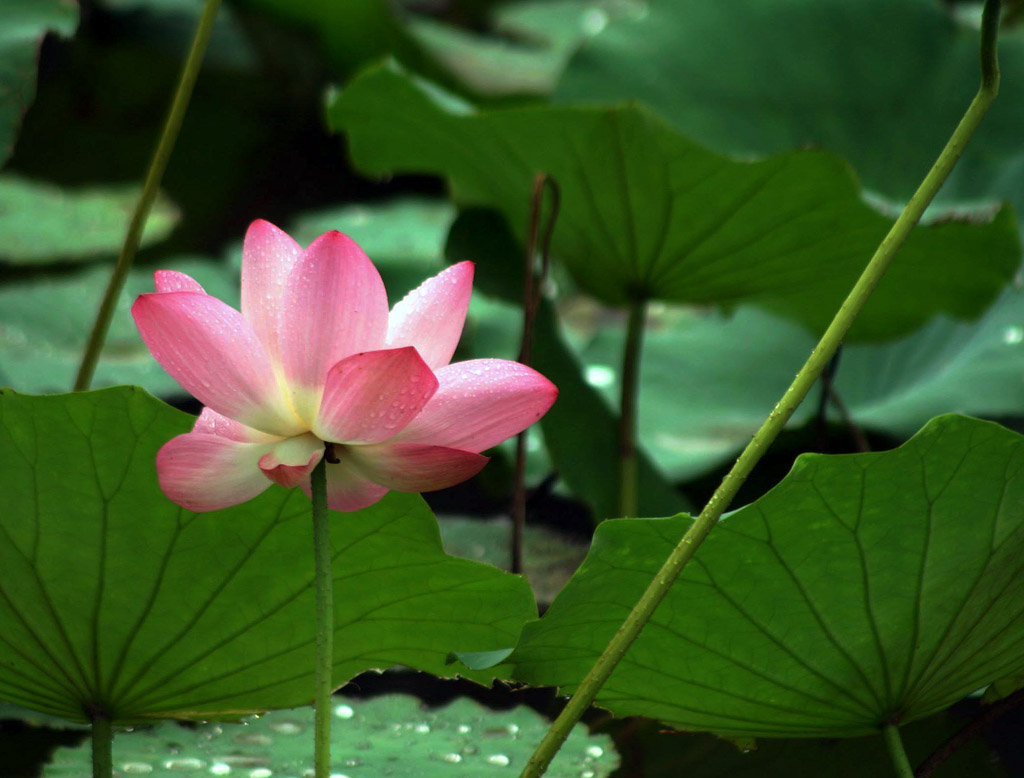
<point>325,621</point>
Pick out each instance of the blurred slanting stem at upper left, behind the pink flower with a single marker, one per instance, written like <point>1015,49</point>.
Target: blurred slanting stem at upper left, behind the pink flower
<point>157,167</point>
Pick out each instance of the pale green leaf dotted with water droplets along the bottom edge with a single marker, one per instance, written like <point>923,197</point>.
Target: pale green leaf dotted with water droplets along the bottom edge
<point>394,736</point>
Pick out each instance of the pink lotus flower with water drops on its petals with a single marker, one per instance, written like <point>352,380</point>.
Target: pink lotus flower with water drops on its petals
<point>315,357</point>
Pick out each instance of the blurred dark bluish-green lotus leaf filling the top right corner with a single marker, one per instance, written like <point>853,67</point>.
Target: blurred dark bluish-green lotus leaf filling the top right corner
<point>881,82</point>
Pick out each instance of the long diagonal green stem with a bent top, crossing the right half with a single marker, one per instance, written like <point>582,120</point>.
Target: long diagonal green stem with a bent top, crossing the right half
<point>827,348</point>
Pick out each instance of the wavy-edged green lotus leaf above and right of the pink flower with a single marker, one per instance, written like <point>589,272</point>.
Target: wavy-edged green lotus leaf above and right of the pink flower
<point>647,213</point>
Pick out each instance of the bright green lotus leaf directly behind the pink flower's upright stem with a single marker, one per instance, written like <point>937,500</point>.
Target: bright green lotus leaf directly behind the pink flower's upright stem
<point>113,598</point>
